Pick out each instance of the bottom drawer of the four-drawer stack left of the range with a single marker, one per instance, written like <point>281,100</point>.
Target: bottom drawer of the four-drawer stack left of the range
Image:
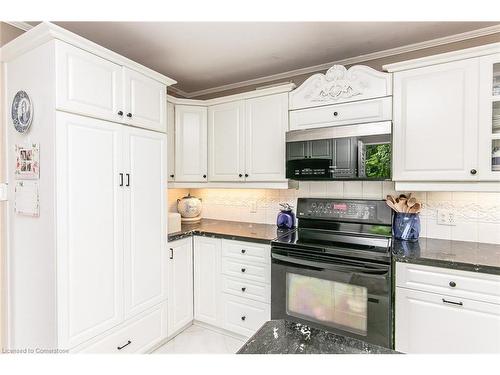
<point>244,316</point>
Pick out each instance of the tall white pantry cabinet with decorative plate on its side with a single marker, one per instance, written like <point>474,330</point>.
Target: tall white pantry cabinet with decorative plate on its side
<point>88,273</point>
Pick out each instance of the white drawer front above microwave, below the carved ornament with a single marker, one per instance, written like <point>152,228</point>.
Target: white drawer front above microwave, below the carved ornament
<point>342,114</point>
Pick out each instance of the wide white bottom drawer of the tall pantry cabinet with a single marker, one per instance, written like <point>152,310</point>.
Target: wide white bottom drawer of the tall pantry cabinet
<point>142,333</point>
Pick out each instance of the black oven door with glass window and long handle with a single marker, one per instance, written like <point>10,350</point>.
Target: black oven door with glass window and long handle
<point>345,296</point>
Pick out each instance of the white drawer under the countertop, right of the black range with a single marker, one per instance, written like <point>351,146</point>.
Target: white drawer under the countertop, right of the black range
<point>465,284</point>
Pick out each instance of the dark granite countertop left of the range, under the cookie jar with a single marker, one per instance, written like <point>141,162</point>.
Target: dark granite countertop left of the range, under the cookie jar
<point>232,230</point>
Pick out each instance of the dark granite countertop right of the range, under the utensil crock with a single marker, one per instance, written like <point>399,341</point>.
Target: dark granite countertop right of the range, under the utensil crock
<point>460,255</point>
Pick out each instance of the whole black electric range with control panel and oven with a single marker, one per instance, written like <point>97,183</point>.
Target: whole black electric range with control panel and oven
<point>334,271</point>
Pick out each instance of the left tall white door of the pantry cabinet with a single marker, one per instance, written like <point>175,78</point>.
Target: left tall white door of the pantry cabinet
<point>89,227</point>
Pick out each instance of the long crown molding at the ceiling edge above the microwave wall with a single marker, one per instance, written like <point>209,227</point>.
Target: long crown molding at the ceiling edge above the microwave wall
<point>349,61</point>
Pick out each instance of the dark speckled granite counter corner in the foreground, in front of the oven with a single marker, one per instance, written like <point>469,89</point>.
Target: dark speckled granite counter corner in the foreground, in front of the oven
<point>286,337</point>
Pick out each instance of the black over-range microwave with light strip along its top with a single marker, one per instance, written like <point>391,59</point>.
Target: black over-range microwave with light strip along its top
<point>340,153</point>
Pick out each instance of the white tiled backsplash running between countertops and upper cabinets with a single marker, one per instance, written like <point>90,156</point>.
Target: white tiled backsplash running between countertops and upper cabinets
<point>477,214</point>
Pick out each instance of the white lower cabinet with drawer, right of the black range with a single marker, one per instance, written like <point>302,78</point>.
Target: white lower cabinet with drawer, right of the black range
<point>436,318</point>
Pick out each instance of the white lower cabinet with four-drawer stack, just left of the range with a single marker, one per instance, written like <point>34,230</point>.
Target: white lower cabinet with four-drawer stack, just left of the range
<point>226,297</point>
